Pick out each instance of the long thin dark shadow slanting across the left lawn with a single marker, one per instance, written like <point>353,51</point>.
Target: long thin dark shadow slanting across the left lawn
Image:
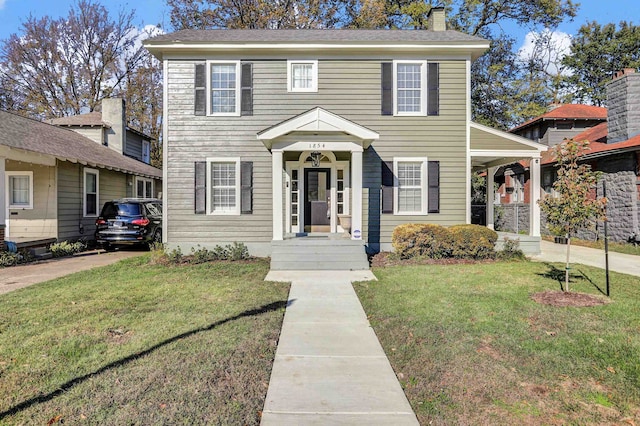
<point>78,380</point>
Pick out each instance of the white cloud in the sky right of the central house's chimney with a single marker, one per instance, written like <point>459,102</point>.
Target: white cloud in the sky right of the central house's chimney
<point>549,46</point>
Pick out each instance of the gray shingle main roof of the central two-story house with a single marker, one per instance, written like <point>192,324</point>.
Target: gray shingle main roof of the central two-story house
<point>313,36</point>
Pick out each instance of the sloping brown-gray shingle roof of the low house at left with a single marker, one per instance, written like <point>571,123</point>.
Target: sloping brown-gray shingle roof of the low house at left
<point>66,145</point>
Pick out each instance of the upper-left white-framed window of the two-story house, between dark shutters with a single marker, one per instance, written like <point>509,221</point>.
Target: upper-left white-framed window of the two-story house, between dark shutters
<point>224,87</point>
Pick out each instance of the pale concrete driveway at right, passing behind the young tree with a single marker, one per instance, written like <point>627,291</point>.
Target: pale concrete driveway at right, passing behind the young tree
<point>618,262</point>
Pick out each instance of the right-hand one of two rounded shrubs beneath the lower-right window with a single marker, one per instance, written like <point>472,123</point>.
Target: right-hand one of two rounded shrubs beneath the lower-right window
<point>473,242</point>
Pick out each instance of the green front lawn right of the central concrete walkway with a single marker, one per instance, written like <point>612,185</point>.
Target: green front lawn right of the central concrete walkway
<point>469,346</point>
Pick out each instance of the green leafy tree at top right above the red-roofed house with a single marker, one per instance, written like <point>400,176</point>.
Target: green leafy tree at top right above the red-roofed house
<point>597,51</point>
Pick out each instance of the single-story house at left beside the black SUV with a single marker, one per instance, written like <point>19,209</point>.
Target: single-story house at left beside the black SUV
<point>53,181</point>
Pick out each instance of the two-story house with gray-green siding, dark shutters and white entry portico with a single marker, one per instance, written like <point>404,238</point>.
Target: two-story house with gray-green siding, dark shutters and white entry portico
<point>271,135</point>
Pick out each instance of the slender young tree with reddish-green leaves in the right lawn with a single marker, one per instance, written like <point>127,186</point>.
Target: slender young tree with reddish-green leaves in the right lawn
<point>574,207</point>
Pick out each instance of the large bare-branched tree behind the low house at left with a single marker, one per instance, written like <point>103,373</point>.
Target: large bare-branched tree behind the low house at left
<point>61,67</point>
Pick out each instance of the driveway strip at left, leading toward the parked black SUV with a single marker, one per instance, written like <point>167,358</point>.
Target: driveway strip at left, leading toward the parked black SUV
<point>16,277</point>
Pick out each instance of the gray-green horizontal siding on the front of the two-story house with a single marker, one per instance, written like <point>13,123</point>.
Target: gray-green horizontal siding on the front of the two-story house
<point>347,88</point>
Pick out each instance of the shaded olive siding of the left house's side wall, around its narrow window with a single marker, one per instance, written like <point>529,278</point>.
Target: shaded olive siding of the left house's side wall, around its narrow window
<point>71,223</point>
